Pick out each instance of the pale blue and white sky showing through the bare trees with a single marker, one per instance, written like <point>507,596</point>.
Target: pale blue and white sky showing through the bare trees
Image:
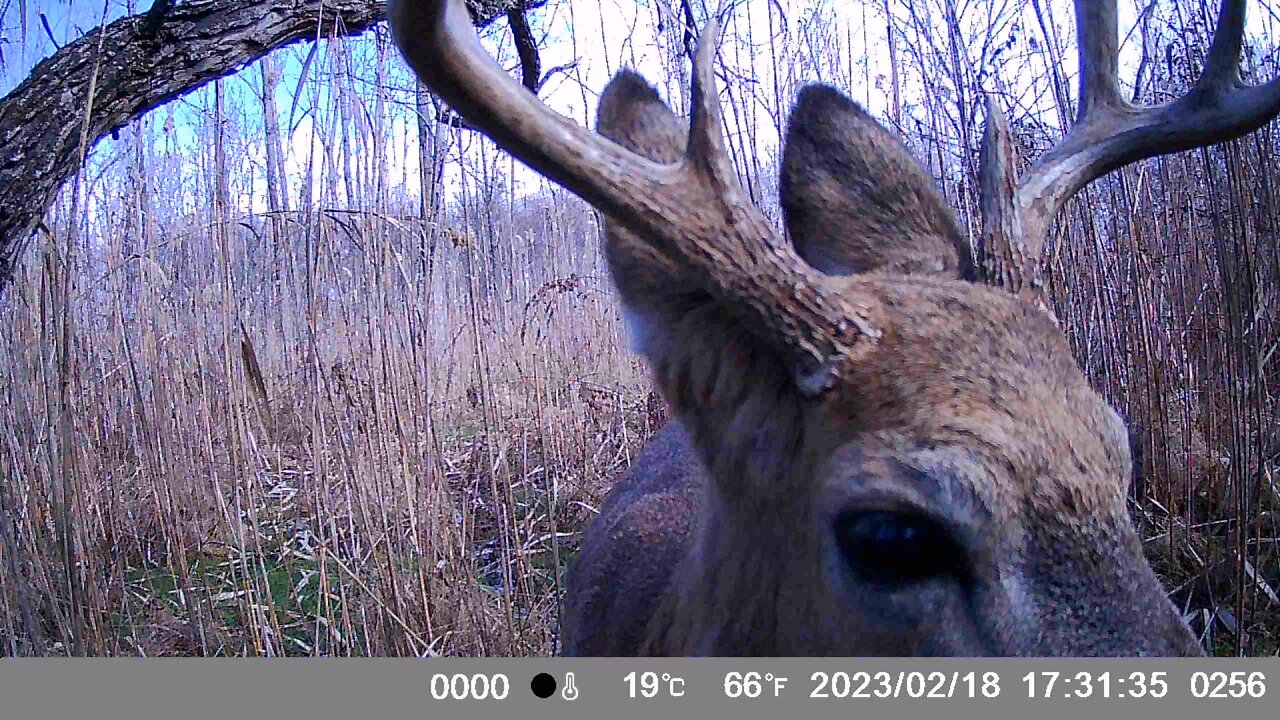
<point>610,34</point>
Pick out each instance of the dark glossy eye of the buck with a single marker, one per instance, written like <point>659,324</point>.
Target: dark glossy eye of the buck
<point>895,550</point>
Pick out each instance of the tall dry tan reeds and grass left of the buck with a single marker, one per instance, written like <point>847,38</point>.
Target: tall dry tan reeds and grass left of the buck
<point>385,489</point>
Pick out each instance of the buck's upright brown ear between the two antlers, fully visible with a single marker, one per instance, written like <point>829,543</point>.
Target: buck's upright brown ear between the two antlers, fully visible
<point>856,200</point>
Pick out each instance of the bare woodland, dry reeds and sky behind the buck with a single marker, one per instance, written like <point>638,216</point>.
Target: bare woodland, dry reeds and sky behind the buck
<point>299,366</point>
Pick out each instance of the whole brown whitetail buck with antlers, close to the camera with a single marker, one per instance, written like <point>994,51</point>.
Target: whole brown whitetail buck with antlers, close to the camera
<point>875,454</point>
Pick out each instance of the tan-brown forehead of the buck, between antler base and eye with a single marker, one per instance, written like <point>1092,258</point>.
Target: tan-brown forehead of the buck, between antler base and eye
<point>993,381</point>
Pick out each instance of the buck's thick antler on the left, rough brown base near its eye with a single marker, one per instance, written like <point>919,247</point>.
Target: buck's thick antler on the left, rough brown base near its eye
<point>693,212</point>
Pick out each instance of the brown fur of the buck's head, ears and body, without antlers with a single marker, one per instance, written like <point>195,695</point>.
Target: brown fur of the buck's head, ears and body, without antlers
<point>967,409</point>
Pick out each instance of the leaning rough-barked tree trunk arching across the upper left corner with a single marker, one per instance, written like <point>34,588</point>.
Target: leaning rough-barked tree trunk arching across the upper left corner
<point>147,61</point>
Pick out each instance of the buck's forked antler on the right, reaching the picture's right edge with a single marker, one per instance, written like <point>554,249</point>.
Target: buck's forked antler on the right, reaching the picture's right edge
<point>1110,133</point>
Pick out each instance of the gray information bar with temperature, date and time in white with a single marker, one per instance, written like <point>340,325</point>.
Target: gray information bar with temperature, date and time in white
<point>614,689</point>
